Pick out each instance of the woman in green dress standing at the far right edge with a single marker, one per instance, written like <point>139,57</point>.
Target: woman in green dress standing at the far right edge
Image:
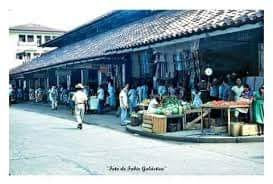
<point>258,109</point>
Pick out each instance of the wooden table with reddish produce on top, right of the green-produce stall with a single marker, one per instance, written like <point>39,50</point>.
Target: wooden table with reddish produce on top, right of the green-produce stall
<point>225,107</point>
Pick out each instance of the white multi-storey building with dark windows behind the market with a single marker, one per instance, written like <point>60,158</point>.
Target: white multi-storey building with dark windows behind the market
<point>25,41</point>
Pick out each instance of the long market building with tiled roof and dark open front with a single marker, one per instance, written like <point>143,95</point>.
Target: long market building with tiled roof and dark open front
<point>150,45</point>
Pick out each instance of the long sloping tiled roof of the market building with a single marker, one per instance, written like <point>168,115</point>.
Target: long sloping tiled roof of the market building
<point>166,25</point>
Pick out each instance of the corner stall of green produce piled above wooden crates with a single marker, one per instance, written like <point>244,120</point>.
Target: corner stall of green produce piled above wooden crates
<point>169,116</point>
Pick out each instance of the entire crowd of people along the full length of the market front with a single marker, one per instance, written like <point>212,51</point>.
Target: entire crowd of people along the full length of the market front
<point>227,88</point>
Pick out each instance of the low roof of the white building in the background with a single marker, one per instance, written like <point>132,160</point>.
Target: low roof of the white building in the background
<point>34,27</point>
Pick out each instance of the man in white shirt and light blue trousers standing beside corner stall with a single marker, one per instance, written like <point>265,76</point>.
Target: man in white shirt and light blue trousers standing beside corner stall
<point>123,101</point>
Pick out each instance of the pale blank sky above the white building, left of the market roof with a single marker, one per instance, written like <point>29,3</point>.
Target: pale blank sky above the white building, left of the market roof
<point>63,20</point>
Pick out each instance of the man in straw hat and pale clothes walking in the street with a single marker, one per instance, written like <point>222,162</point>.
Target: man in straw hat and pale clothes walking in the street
<point>80,100</point>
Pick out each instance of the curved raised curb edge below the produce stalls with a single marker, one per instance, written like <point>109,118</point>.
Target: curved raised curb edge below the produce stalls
<point>198,138</point>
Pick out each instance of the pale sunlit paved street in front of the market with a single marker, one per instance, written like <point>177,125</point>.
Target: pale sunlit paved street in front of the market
<point>46,142</point>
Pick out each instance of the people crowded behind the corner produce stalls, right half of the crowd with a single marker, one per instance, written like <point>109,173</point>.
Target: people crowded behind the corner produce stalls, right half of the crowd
<point>225,88</point>
